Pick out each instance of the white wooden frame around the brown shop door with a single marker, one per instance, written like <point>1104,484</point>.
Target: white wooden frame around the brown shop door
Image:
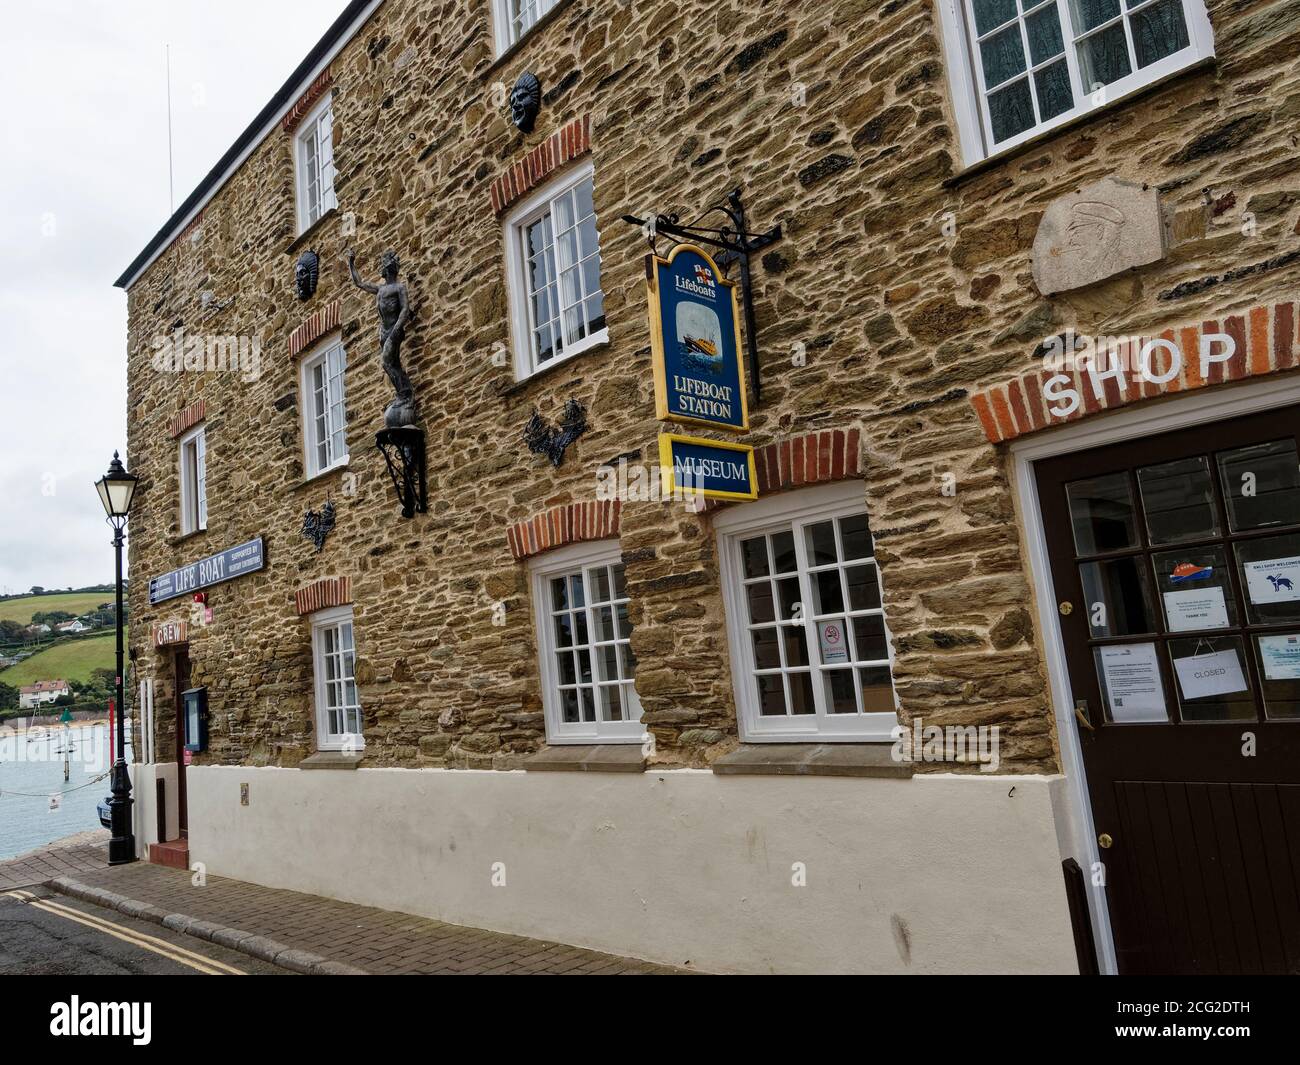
<point>1214,404</point>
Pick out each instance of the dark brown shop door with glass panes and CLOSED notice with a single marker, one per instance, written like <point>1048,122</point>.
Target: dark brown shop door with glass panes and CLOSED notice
<point>1176,562</point>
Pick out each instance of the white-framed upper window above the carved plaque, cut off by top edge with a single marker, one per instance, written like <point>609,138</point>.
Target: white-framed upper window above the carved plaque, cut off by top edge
<point>1022,67</point>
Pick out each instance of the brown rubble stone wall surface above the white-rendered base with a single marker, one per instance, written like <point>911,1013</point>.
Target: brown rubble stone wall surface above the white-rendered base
<point>902,288</point>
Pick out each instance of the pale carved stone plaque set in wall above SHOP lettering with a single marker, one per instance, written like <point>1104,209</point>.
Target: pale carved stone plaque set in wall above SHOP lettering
<point>1093,235</point>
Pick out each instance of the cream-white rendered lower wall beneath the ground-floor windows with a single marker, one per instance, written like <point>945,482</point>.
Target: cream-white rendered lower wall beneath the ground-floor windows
<point>937,874</point>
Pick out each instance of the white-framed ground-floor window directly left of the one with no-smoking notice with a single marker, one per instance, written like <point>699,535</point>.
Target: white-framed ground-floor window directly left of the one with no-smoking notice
<point>583,637</point>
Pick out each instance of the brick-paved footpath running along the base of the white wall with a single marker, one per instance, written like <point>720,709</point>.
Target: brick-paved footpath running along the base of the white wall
<point>379,942</point>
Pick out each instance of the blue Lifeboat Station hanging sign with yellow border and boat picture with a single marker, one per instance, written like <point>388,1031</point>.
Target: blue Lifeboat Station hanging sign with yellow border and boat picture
<point>695,341</point>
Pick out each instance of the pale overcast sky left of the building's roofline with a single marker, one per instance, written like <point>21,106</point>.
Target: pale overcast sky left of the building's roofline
<point>84,187</point>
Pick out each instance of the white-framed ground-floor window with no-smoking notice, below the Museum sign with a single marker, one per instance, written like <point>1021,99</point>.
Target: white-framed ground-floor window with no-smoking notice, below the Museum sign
<point>805,618</point>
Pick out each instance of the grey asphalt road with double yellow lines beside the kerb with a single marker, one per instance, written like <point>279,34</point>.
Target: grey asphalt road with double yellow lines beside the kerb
<point>45,934</point>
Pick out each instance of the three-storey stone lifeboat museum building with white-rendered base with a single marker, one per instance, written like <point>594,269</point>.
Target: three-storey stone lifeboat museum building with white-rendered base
<point>987,678</point>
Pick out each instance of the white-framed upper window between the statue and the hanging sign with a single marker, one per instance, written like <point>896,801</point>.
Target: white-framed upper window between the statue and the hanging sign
<point>553,258</point>
